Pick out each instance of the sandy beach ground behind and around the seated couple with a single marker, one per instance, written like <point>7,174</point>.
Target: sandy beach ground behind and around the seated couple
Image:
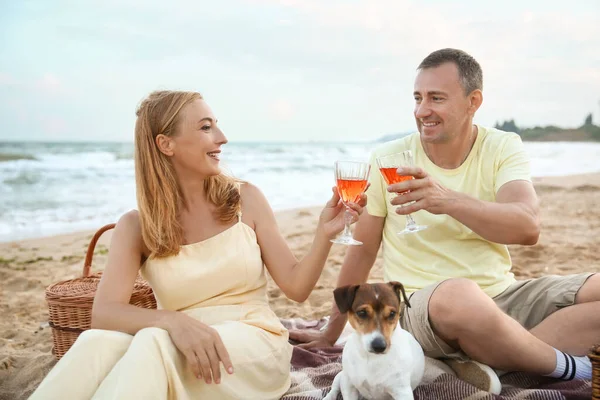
<point>568,243</point>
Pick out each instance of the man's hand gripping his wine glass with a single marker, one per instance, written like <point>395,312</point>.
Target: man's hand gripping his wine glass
<point>426,193</point>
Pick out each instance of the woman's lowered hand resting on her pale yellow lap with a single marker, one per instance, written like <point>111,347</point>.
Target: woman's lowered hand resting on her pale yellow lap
<point>201,345</point>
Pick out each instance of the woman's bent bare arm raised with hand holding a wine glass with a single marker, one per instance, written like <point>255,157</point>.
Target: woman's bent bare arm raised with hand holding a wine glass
<point>295,278</point>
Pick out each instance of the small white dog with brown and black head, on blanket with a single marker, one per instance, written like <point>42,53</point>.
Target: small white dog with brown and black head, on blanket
<point>380,359</point>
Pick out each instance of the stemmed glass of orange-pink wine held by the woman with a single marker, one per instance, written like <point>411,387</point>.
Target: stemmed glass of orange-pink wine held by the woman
<point>351,179</point>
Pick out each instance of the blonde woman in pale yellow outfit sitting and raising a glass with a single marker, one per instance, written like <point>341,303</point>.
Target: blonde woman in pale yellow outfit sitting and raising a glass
<point>202,240</point>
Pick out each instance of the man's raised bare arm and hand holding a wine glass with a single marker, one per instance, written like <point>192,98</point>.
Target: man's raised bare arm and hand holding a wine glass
<point>512,219</point>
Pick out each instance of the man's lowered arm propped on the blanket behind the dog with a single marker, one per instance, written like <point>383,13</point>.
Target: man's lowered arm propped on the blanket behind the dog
<point>355,270</point>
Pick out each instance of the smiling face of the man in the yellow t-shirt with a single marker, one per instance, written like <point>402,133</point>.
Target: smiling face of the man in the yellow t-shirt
<point>442,109</point>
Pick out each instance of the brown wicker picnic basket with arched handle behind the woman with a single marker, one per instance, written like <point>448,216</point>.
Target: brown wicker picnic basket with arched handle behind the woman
<point>70,302</point>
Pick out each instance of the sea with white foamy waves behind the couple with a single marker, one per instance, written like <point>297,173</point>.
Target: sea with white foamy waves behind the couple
<point>54,188</point>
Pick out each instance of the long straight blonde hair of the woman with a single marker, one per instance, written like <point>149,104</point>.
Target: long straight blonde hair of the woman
<point>159,196</point>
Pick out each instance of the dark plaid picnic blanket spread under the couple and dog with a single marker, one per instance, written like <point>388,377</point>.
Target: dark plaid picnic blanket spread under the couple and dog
<point>313,372</point>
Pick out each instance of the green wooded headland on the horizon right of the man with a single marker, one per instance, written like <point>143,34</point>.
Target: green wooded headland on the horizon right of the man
<point>587,132</point>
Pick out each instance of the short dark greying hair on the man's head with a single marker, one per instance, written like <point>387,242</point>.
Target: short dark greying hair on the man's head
<point>469,70</point>
